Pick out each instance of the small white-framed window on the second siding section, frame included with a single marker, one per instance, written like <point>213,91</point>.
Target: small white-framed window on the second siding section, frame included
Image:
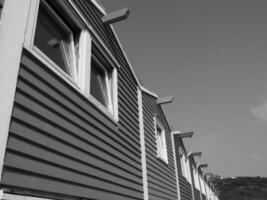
<point>161,141</point>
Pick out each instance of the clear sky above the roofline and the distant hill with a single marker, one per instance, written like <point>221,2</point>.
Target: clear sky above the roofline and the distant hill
<point>212,56</point>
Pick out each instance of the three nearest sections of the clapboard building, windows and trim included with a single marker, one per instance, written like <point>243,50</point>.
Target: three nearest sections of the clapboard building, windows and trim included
<point>76,123</point>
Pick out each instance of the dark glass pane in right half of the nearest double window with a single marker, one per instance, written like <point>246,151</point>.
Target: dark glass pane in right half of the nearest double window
<point>98,85</point>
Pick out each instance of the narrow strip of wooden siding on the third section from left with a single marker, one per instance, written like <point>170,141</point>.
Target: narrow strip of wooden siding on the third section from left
<point>184,185</point>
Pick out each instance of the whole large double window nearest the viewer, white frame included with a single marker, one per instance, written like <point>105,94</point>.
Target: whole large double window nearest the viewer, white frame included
<point>63,41</point>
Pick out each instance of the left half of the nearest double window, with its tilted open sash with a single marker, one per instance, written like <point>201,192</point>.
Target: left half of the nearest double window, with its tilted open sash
<point>55,39</point>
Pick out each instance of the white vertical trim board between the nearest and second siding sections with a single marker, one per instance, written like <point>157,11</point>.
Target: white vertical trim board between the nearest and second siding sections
<point>142,142</point>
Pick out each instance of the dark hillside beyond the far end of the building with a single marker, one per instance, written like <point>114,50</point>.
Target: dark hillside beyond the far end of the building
<point>241,188</point>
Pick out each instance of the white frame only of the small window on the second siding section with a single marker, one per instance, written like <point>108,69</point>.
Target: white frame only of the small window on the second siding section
<point>163,156</point>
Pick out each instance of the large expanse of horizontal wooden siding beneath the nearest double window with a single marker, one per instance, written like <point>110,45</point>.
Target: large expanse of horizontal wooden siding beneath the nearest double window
<point>60,143</point>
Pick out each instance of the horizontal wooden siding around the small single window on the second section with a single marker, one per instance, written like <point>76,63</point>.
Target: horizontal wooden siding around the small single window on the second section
<point>161,176</point>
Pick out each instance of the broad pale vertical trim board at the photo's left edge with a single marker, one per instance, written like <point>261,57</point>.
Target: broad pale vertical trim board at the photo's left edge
<point>12,33</point>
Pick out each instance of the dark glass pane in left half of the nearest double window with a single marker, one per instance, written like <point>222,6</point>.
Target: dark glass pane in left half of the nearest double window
<point>51,39</point>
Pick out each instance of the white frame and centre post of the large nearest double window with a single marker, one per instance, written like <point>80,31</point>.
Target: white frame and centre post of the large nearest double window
<point>81,79</point>
